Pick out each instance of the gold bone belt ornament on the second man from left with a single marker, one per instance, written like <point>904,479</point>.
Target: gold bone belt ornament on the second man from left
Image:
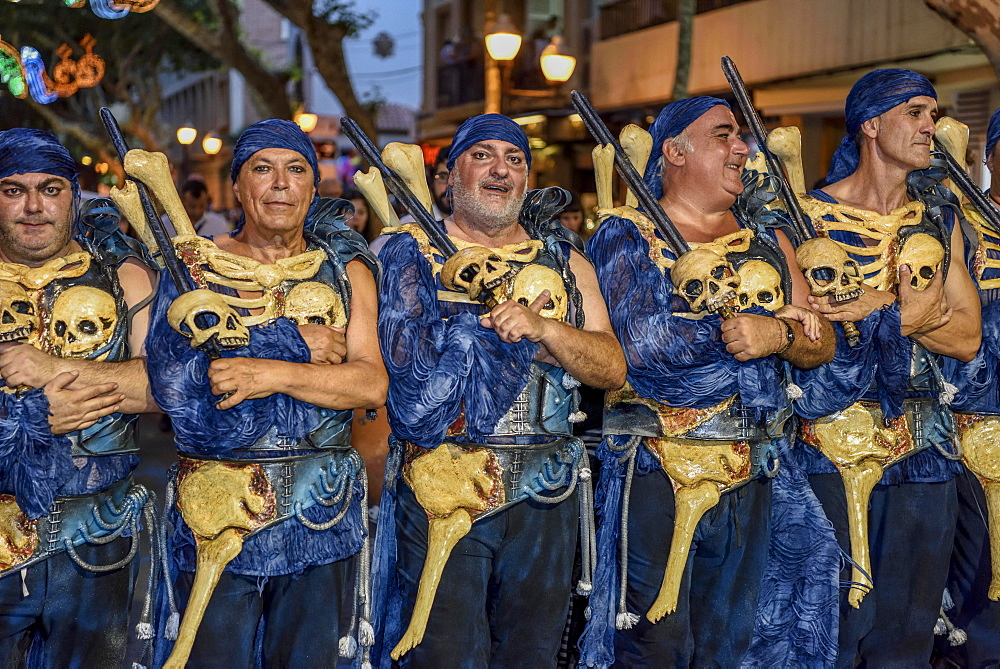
<point>221,502</point>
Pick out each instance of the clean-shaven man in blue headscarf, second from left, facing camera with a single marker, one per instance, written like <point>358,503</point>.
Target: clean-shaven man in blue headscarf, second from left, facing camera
<point>292,293</point>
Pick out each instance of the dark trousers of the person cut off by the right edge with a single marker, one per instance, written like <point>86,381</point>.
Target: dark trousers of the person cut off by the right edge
<point>969,581</point>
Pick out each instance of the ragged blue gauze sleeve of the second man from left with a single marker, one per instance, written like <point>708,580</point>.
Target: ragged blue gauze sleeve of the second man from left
<point>179,382</point>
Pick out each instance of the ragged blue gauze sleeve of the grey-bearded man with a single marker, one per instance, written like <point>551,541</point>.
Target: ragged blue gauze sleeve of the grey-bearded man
<point>439,367</point>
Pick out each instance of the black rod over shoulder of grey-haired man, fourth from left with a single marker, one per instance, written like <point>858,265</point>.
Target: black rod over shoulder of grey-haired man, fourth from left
<point>637,187</point>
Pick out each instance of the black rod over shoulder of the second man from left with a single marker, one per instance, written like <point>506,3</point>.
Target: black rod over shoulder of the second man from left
<point>137,189</point>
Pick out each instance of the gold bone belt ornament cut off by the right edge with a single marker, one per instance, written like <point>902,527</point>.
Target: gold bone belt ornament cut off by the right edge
<point>980,440</point>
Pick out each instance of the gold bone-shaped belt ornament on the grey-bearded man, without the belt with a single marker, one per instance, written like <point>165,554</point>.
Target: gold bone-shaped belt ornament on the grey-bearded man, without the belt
<point>452,484</point>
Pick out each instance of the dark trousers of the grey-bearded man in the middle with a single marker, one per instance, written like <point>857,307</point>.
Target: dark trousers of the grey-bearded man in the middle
<point>504,594</point>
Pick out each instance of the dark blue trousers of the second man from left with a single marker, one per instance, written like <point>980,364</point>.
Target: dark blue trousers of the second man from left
<point>291,621</point>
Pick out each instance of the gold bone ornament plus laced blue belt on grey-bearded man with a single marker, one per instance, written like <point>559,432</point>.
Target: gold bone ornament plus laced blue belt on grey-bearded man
<point>457,484</point>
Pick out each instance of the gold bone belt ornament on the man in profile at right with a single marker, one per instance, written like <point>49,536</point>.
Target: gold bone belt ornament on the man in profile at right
<point>862,446</point>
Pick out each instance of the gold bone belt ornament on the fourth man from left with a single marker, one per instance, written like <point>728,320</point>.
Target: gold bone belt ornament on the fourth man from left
<point>700,471</point>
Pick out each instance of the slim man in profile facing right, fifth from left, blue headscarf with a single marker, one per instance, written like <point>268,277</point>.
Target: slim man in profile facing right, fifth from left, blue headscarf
<point>902,428</point>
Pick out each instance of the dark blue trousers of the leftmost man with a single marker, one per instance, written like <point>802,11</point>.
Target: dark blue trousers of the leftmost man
<point>70,617</point>
